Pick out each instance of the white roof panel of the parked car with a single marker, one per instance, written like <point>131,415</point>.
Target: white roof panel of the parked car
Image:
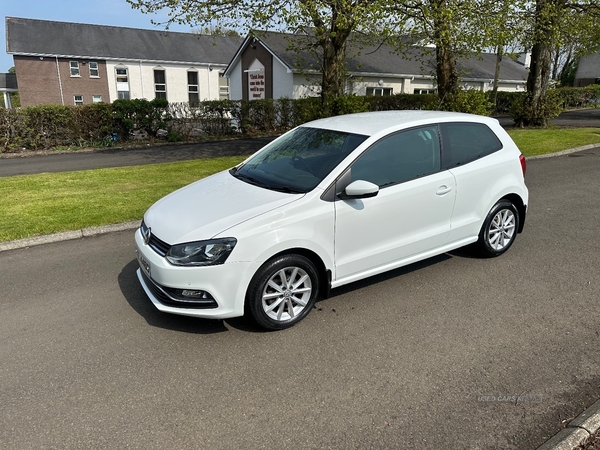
<point>372,123</point>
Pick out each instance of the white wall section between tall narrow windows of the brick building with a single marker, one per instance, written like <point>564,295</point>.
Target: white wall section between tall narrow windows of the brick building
<point>141,80</point>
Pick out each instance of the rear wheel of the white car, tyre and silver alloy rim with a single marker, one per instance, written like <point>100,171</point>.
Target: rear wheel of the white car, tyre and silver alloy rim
<point>499,229</point>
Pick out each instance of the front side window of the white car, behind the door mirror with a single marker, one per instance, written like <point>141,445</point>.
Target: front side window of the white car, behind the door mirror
<point>400,157</point>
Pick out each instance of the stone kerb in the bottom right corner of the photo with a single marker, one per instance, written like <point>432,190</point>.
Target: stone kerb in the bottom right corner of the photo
<point>577,432</point>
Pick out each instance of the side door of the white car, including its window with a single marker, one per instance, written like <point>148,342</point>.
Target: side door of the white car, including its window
<point>409,216</point>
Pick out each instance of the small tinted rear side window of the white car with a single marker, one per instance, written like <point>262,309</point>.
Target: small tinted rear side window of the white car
<point>465,142</point>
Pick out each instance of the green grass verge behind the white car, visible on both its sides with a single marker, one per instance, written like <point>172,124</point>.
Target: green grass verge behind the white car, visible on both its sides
<point>33,205</point>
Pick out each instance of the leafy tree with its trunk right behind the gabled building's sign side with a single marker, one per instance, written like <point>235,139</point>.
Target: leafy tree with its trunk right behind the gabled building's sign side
<point>328,24</point>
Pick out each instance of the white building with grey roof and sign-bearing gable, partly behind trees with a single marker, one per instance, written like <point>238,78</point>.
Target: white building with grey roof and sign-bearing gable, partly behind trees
<point>284,69</point>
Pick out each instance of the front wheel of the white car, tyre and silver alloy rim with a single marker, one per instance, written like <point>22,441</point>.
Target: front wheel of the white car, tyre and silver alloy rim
<point>282,292</point>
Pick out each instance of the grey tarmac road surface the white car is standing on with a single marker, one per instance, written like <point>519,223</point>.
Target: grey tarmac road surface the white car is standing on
<point>402,360</point>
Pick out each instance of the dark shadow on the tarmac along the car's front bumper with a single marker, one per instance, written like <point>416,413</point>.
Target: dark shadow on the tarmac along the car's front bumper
<point>137,299</point>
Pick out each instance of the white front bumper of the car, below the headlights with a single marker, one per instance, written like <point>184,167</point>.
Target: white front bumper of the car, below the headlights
<point>225,285</point>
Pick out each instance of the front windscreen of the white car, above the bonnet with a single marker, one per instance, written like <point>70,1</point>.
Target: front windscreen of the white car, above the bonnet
<point>299,161</point>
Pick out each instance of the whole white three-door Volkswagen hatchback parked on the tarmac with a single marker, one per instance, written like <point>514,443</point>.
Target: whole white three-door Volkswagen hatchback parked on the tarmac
<point>328,203</point>
